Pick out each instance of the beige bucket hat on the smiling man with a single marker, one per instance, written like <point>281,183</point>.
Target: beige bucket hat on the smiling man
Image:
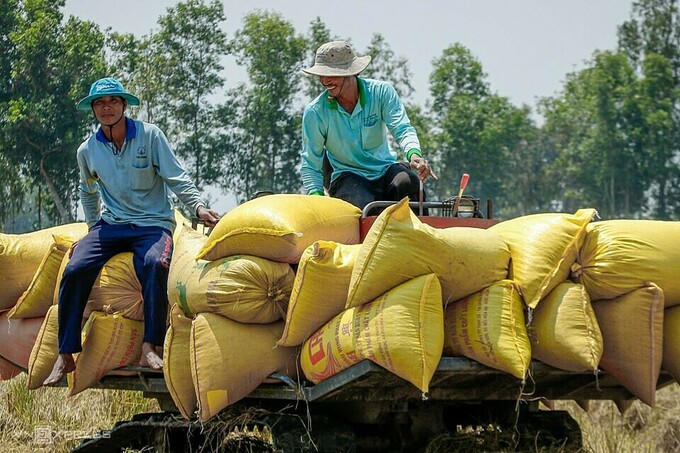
<point>337,59</point>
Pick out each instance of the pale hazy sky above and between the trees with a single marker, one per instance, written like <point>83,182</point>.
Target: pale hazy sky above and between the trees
<point>526,47</point>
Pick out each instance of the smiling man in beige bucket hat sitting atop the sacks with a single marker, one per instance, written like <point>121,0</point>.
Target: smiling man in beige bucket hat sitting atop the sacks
<point>348,123</point>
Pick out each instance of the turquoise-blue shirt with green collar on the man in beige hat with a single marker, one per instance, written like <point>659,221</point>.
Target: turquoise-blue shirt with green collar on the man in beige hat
<point>355,141</point>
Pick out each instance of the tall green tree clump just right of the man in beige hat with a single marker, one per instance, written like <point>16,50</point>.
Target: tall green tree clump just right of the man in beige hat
<point>482,134</point>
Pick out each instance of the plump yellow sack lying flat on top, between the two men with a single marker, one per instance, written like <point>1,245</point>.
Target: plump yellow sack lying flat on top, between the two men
<point>280,227</point>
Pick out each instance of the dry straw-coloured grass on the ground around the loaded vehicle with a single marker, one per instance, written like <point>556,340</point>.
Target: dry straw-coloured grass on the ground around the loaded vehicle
<point>46,420</point>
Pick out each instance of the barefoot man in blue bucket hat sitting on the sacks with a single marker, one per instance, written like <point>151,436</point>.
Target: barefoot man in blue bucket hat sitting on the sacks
<point>127,170</point>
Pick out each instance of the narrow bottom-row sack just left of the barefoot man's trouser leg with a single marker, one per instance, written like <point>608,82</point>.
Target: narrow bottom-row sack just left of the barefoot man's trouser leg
<point>45,350</point>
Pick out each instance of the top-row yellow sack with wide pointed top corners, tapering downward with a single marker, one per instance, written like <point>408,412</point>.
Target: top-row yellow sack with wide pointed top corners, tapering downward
<point>543,248</point>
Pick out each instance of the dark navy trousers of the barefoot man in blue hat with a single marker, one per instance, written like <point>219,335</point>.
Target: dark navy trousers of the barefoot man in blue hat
<point>152,249</point>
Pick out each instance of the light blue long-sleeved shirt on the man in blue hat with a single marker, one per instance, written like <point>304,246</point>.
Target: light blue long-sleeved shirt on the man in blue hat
<point>133,184</point>
